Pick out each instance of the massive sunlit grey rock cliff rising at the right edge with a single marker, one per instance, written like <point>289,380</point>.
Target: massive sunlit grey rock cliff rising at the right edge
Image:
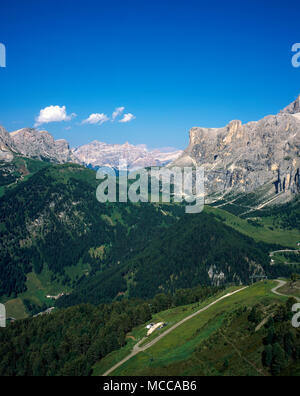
<point>246,157</point>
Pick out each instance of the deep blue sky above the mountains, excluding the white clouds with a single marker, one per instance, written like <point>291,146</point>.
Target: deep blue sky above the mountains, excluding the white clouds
<point>173,64</point>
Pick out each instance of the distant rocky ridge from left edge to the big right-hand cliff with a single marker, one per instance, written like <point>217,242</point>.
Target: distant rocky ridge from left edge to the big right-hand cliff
<point>41,145</point>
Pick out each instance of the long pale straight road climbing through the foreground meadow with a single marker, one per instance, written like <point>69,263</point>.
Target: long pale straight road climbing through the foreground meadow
<point>137,349</point>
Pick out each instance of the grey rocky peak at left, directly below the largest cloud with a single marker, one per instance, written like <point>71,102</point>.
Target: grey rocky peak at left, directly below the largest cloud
<point>41,145</point>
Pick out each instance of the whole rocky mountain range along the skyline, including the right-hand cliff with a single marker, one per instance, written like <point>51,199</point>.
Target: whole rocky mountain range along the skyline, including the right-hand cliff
<point>238,158</point>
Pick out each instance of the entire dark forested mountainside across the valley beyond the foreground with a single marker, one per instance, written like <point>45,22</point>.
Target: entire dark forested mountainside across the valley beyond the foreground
<point>50,220</point>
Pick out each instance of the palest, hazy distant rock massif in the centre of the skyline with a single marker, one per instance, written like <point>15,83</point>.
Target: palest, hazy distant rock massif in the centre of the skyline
<point>101,154</point>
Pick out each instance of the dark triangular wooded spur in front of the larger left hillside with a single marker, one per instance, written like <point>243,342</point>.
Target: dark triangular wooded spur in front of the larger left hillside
<point>198,249</point>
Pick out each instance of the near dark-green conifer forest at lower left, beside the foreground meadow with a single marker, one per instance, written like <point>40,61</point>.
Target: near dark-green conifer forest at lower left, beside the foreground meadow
<point>70,341</point>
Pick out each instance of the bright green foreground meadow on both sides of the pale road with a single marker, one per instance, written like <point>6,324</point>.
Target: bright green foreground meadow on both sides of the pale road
<point>179,346</point>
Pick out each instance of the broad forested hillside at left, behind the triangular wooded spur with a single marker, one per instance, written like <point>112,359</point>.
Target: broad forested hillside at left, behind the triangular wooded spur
<point>53,220</point>
